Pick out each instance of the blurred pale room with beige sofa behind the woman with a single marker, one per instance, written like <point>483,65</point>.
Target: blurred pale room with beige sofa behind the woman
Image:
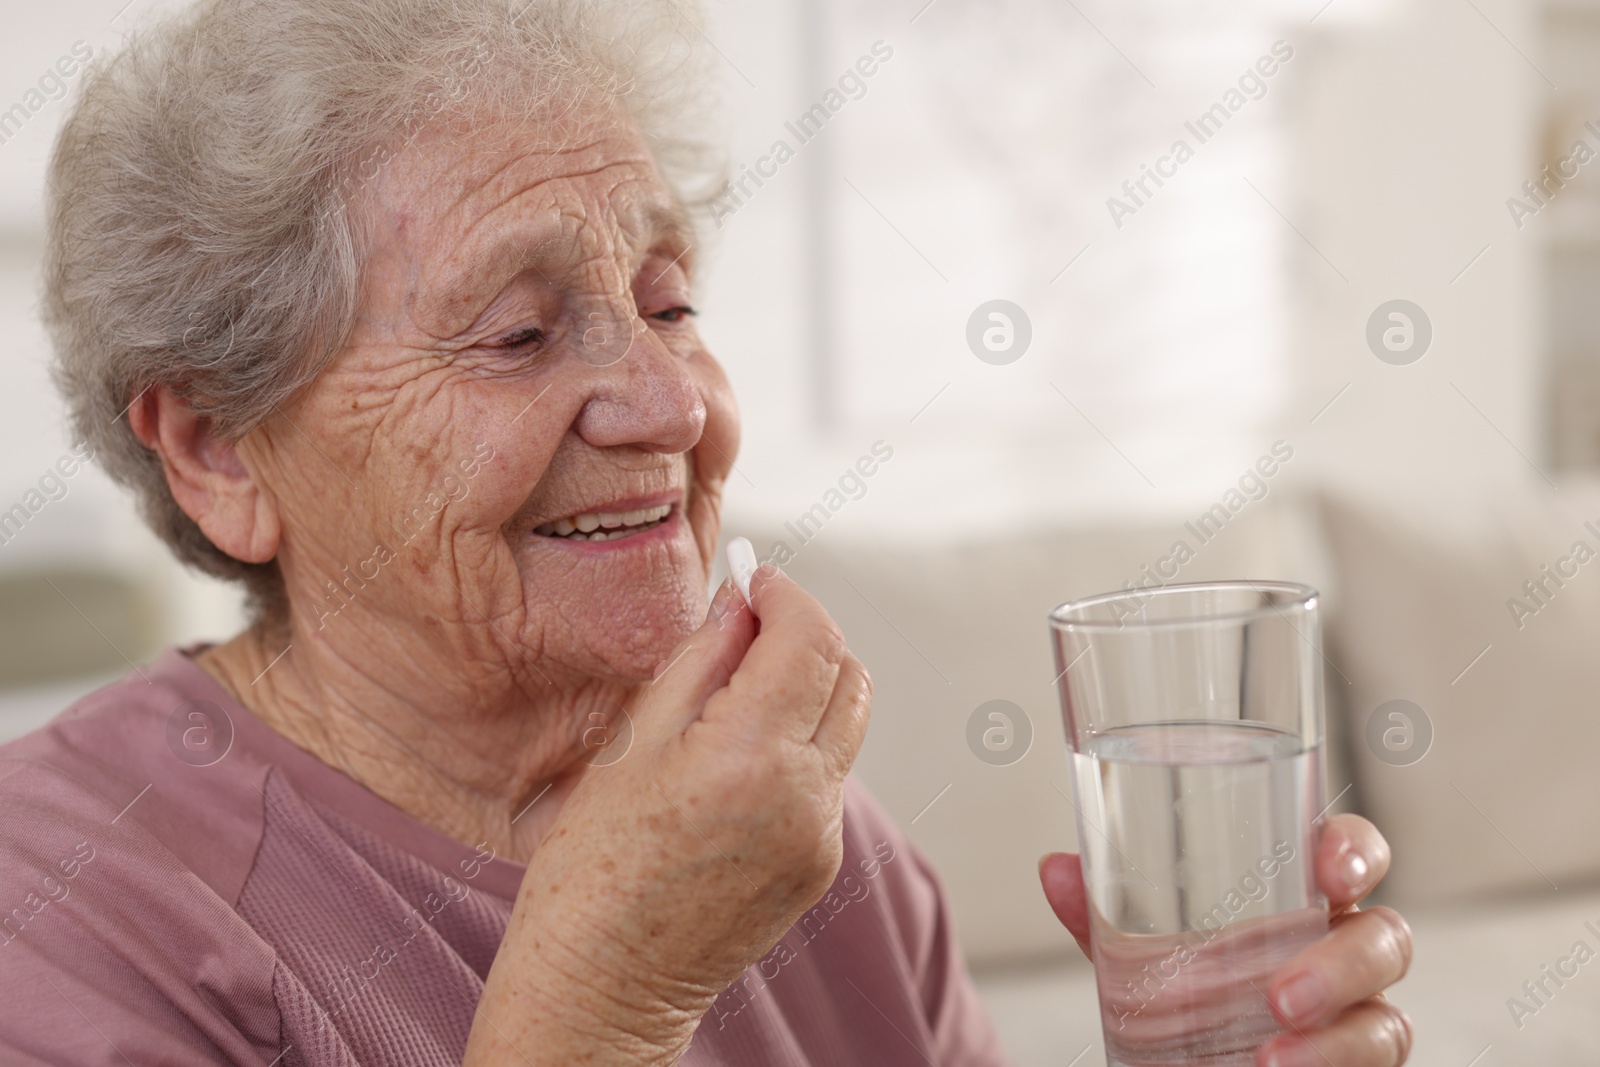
<point>1378,250</point>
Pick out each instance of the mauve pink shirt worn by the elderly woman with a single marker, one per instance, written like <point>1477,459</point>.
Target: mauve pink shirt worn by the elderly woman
<point>180,885</point>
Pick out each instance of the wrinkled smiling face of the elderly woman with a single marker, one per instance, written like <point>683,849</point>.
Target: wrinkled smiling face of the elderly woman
<point>521,454</point>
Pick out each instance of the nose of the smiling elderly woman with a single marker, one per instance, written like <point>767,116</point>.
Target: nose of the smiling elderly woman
<point>642,396</point>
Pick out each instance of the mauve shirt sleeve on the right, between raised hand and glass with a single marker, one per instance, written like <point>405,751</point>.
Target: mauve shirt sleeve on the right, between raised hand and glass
<point>962,1031</point>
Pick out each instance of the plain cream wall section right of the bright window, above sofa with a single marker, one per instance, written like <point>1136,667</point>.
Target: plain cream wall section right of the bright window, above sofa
<point>1415,132</point>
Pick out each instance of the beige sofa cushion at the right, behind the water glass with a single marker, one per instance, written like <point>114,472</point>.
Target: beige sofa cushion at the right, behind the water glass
<point>1441,605</point>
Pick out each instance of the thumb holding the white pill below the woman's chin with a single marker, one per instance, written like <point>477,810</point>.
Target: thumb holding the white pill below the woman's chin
<point>700,666</point>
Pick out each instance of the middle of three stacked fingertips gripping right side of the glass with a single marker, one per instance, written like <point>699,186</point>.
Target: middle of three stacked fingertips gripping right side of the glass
<point>1361,957</point>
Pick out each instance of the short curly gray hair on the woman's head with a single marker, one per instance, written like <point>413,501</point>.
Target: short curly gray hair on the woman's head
<point>204,226</point>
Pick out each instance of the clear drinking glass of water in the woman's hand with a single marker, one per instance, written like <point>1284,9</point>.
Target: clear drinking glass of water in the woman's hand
<point>1196,724</point>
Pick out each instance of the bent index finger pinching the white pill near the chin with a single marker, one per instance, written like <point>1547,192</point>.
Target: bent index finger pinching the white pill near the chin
<point>788,677</point>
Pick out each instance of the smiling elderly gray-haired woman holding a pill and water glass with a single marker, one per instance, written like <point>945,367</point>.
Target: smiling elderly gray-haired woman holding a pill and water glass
<point>383,311</point>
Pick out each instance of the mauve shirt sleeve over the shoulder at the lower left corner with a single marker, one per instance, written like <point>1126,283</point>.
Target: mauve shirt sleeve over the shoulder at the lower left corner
<point>111,951</point>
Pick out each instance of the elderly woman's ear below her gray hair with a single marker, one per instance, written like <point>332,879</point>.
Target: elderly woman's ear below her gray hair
<point>207,476</point>
